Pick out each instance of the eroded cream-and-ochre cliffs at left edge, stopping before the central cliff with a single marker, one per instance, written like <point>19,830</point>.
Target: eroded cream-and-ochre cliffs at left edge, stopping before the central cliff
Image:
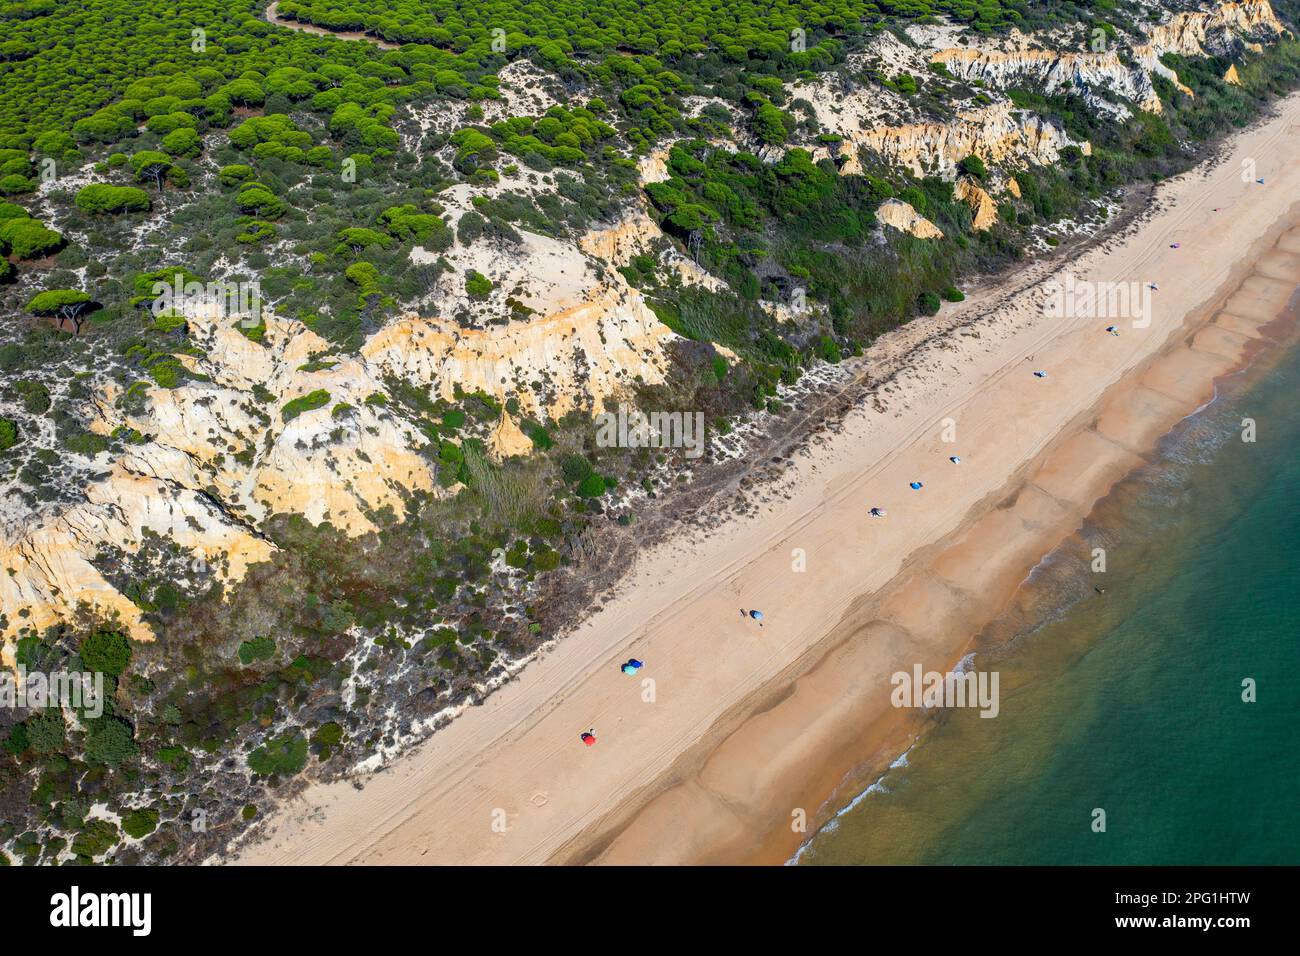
<point>216,461</point>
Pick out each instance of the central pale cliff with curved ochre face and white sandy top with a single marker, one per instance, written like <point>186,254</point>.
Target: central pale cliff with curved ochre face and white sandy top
<point>587,336</point>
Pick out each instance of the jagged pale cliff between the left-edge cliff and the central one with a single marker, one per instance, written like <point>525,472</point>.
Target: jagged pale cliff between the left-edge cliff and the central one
<point>330,464</point>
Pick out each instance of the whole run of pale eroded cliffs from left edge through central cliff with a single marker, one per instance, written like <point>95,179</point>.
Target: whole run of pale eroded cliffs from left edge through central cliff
<point>219,458</point>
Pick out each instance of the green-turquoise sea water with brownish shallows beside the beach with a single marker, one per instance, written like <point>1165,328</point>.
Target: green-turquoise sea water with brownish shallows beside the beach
<point>1132,700</point>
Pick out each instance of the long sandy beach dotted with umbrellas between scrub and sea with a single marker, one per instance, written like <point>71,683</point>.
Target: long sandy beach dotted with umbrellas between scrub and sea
<point>731,732</point>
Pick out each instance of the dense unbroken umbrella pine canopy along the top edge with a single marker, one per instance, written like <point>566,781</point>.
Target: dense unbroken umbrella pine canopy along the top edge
<point>60,63</point>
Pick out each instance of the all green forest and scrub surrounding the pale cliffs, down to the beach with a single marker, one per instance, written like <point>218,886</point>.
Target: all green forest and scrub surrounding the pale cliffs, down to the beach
<point>205,140</point>
